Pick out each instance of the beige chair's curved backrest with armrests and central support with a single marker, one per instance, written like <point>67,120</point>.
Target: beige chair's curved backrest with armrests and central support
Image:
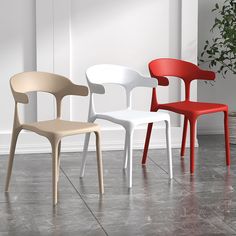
<point>54,84</point>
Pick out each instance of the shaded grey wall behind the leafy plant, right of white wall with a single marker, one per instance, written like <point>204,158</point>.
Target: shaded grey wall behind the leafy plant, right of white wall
<point>223,90</point>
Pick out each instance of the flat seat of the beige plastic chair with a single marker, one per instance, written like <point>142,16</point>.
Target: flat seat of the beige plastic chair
<point>60,127</point>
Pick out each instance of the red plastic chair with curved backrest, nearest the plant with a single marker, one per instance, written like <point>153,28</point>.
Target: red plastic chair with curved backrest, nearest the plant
<point>191,110</point>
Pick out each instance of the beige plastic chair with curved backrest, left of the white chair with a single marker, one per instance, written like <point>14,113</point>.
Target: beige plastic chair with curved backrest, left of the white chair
<point>53,130</point>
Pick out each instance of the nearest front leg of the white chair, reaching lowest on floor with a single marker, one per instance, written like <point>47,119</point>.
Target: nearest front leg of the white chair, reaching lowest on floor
<point>130,156</point>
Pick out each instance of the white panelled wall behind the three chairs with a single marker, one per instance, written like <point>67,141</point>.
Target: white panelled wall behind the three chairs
<point>131,32</point>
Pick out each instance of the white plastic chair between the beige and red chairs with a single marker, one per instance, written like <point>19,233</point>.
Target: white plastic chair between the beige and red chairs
<point>113,74</point>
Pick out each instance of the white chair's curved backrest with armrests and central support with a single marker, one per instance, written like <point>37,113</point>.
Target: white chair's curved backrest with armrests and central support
<point>98,75</point>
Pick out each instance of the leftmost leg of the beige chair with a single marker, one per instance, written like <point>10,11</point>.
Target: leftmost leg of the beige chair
<point>14,137</point>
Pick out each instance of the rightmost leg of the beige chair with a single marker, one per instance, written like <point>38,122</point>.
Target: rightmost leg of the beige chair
<point>99,163</point>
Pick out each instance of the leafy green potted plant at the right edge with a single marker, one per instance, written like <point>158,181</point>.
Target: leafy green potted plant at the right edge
<point>220,52</point>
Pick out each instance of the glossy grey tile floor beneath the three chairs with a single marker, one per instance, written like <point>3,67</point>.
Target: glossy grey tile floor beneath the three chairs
<point>203,204</point>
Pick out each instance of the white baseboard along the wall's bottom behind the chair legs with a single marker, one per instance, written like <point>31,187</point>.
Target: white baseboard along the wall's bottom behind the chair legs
<point>112,138</point>
